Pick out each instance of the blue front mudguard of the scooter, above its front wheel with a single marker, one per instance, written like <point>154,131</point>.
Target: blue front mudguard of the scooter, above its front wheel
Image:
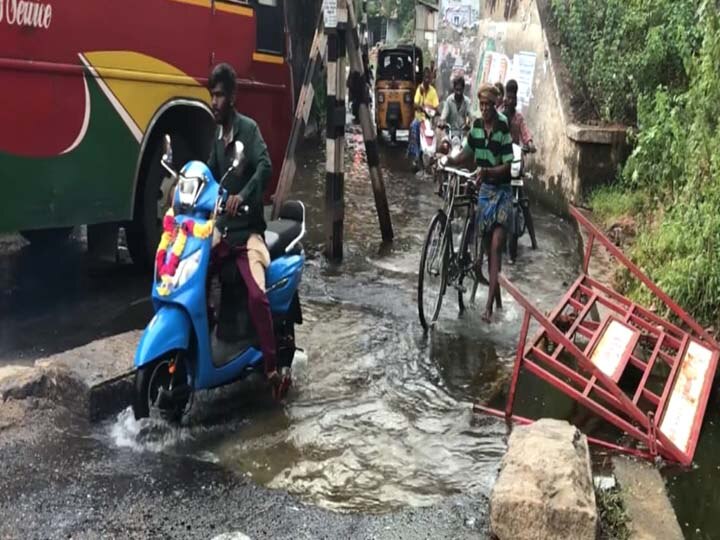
<point>169,330</point>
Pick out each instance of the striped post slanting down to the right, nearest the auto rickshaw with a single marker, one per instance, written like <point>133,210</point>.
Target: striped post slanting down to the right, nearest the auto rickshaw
<point>369,132</point>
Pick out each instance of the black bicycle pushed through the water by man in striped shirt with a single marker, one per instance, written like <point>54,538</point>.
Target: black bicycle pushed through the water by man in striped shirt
<point>440,261</point>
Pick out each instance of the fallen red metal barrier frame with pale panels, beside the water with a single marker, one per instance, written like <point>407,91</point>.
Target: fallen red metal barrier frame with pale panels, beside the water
<point>585,345</point>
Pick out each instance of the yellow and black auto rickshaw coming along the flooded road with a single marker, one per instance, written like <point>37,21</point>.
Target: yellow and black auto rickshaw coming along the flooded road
<point>399,71</point>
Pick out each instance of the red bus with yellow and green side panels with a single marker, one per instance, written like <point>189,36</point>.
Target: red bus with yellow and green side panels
<point>88,88</point>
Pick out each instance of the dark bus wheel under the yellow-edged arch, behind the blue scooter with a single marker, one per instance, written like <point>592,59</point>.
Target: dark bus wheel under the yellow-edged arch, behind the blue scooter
<point>151,202</point>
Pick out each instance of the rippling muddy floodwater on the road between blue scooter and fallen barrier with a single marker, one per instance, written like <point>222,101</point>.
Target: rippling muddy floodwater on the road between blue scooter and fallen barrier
<point>380,416</point>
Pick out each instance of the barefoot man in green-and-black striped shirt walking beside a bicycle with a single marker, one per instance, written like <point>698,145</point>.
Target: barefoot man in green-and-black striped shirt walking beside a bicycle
<point>489,142</point>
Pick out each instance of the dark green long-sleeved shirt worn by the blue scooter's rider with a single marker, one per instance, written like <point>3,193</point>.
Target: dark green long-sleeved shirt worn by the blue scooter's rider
<point>250,181</point>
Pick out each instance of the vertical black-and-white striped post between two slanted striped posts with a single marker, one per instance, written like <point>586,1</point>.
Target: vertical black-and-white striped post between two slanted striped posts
<point>335,143</point>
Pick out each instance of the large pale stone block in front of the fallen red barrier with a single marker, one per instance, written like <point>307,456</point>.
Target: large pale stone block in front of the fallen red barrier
<point>544,490</point>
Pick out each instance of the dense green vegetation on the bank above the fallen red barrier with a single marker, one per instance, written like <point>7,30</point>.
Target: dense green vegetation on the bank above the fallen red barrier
<point>655,65</point>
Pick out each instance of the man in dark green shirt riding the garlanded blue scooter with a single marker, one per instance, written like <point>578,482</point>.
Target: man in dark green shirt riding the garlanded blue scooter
<point>243,223</point>
